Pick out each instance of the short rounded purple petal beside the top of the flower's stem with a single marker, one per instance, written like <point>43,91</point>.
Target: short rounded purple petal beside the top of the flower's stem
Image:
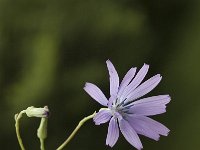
<point>102,116</point>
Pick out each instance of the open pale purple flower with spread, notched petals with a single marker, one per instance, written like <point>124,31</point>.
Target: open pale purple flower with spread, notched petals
<point>126,110</point>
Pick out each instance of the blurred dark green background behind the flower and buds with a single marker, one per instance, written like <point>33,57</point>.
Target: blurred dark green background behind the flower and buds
<point>49,49</point>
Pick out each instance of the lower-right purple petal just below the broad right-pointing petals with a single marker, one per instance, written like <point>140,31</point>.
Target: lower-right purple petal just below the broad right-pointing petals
<point>152,124</point>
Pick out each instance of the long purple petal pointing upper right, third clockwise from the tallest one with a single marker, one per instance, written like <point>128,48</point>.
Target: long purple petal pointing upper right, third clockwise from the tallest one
<point>144,88</point>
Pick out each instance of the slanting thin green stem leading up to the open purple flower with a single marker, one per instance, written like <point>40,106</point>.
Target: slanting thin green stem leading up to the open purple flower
<point>75,131</point>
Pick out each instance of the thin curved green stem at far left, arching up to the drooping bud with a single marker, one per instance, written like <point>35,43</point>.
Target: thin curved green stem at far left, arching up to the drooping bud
<point>17,118</point>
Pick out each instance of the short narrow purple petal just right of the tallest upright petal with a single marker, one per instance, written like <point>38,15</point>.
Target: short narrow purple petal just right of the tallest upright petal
<point>126,80</point>
